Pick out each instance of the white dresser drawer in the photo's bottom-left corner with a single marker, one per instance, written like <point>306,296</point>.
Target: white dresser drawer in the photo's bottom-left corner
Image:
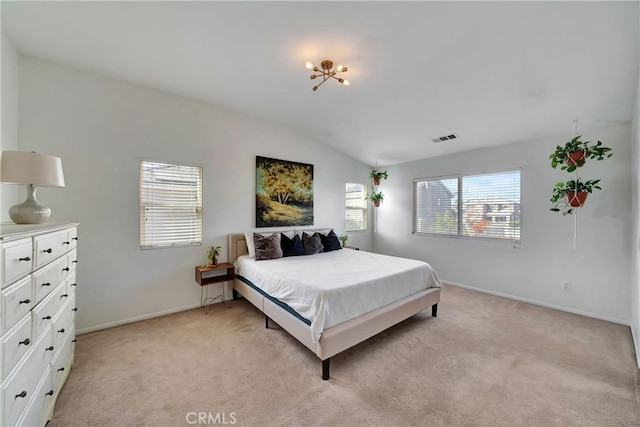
<point>17,391</point>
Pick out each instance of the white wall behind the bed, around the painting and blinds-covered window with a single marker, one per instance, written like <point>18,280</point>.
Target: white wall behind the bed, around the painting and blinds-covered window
<point>102,128</point>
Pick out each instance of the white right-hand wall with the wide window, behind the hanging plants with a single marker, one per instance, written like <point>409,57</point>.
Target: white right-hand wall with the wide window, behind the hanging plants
<point>598,270</point>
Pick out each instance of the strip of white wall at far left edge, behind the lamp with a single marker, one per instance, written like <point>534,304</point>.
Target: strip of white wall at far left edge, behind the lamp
<point>9,121</point>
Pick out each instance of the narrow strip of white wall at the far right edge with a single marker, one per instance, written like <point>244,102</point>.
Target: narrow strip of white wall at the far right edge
<point>635,242</point>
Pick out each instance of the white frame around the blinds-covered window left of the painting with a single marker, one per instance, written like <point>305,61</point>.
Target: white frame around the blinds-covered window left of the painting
<point>142,206</point>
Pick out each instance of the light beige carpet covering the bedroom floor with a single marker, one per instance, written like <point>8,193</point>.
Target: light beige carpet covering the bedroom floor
<point>484,361</point>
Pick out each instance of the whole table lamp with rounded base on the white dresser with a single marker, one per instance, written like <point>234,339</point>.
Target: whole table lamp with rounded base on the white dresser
<point>33,170</point>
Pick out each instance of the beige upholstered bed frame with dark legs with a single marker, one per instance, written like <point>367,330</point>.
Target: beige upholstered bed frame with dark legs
<point>339,337</point>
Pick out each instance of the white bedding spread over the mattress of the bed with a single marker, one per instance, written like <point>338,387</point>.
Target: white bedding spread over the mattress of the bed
<point>332,287</point>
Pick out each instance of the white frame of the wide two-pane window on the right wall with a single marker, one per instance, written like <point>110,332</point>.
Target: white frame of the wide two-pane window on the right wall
<point>459,206</point>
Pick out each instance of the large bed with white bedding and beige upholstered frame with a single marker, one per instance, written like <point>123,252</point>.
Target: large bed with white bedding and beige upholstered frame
<point>323,332</point>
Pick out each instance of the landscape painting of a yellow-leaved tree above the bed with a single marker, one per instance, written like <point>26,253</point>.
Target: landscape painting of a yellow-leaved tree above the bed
<point>284,193</point>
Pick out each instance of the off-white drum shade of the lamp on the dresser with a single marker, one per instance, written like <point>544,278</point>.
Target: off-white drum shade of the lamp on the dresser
<point>23,167</point>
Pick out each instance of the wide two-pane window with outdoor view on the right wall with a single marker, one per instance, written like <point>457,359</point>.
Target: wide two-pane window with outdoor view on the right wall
<point>485,205</point>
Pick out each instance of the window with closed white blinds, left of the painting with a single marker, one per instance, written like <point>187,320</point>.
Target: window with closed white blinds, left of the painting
<point>170,205</point>
